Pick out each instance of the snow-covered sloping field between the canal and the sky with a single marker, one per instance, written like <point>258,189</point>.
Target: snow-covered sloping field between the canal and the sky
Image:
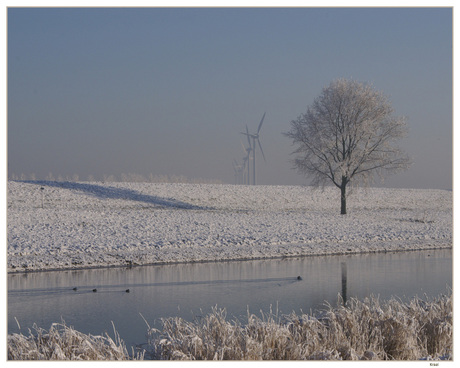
<point>58,225</point>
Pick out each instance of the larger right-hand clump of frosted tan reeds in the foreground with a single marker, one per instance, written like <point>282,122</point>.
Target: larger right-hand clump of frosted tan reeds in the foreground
<point>367,330</point>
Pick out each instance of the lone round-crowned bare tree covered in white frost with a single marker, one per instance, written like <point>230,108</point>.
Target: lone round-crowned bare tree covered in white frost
<point>347,136</point>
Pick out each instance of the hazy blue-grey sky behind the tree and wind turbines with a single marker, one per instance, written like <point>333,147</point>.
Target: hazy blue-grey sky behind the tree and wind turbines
<point>166,91</point>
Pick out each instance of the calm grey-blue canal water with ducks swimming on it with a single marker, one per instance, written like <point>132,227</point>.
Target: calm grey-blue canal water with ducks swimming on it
<point>191,290</point>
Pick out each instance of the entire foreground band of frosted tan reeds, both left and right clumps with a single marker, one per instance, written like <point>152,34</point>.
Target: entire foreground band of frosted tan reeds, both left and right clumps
<point>362,330</point>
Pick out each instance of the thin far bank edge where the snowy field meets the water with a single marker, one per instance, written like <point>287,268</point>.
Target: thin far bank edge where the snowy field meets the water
<point>127,264</point>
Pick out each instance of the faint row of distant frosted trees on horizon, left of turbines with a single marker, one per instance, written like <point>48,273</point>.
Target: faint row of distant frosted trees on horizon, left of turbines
<point>125,178</point>
